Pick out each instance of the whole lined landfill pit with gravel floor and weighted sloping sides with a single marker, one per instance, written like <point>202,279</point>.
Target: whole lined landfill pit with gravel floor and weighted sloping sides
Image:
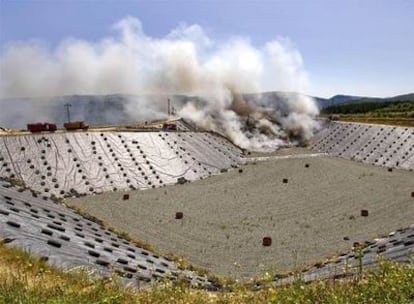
<point>182,192</point>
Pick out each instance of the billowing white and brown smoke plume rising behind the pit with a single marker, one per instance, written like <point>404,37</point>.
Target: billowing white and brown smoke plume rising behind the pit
<point>186,61</point>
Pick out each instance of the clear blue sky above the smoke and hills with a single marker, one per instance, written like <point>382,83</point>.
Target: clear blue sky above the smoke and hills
<point>363,48</point>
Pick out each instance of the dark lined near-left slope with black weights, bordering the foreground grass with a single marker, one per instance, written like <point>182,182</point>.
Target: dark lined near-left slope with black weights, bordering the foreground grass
<point>68,240</point>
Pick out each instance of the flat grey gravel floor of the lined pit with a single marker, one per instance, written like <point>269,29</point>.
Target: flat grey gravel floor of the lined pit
<point>315,214</point>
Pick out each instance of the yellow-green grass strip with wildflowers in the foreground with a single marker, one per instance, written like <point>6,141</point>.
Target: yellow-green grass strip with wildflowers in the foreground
<point>24,279</point>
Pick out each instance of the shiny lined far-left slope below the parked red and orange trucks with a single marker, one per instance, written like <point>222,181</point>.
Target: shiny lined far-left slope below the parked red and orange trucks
<point>95,162</point>
